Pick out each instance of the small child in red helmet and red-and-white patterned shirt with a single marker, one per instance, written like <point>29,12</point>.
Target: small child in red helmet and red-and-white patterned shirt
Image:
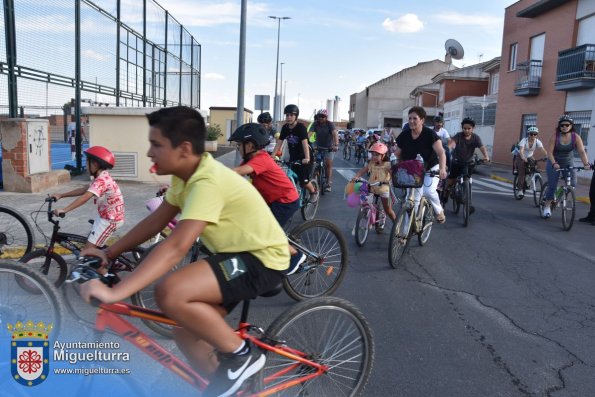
<point>106,193</point>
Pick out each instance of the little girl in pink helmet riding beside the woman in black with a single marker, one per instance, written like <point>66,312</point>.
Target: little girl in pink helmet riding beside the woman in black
<point>379,168</point>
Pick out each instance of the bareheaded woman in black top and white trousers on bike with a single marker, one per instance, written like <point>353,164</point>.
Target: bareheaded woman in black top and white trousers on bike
<point>418,139</point>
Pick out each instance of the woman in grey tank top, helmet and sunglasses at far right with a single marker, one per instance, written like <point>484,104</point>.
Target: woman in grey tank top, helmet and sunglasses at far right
<point>560,148</point>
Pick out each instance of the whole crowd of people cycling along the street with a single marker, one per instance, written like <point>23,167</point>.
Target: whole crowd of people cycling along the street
<point>244,232</point>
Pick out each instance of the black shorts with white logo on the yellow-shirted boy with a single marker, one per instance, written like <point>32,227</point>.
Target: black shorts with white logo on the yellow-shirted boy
<point>242,276</point>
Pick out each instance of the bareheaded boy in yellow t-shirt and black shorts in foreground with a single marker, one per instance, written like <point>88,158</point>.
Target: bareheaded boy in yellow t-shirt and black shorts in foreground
<point>235,224</point>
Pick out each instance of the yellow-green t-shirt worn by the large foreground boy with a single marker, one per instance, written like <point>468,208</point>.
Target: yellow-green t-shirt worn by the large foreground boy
<point>238,219</point>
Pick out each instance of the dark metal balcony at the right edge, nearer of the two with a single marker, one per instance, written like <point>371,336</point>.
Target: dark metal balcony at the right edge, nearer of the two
<point>576,68</point>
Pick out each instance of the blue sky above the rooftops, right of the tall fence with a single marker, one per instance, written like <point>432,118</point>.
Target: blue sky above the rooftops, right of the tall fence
<point>336,47</point>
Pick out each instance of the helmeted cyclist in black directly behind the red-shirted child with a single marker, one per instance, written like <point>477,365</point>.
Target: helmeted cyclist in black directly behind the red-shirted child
<point>296,136</point>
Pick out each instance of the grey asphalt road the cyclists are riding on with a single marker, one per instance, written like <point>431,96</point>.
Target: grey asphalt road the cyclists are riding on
<point>501,308</point>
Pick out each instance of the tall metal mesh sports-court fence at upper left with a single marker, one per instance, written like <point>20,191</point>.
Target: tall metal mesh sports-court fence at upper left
<point>55,57</point>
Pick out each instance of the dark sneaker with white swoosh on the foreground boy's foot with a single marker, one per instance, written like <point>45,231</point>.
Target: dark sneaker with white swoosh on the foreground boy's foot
<point>233,370</point>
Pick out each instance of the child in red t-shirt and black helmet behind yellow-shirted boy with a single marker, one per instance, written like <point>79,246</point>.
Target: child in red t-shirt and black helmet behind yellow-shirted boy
<point>268,178</point>
